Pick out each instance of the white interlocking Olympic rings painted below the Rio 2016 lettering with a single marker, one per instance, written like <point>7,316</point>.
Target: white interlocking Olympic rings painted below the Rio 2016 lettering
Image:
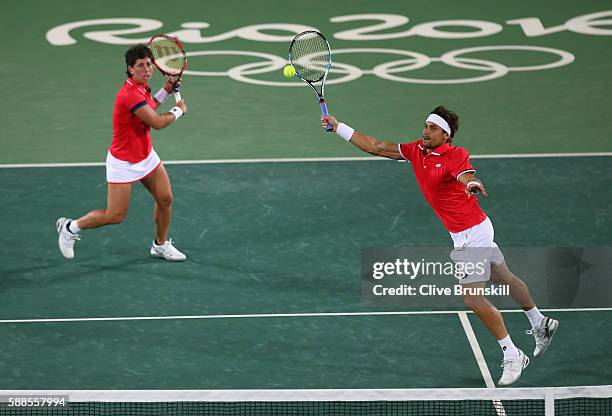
<point>392,71</point>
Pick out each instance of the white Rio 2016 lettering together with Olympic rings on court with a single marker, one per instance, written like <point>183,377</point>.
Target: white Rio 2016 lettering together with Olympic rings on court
<point>592,24</point>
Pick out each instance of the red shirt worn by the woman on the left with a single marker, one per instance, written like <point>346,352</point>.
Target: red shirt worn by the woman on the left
<point>131,137</point>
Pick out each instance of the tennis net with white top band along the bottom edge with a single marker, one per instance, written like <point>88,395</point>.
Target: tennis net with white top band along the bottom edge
<point>562,401</point>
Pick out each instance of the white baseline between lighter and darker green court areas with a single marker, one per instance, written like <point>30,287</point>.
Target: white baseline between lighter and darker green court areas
<point>304,159</point>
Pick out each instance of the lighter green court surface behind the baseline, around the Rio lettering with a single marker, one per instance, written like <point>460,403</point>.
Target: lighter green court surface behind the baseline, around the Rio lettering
<point>61,110</point>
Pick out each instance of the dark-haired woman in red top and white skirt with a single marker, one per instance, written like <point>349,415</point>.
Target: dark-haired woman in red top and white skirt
<point>131,158</point>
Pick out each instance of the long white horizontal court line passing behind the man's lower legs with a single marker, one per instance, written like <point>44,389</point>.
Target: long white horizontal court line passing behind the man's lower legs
<point>274,315</point>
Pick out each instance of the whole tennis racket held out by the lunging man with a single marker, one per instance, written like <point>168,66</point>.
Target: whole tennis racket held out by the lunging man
<point>310,55</point>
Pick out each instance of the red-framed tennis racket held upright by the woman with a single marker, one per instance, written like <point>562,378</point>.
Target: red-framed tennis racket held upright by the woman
<point>170,58</point>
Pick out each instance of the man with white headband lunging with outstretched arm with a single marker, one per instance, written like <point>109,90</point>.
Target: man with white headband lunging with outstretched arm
<point>447,180</point>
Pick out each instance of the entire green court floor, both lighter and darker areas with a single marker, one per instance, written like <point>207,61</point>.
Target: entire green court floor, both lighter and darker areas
<point>270,297</point>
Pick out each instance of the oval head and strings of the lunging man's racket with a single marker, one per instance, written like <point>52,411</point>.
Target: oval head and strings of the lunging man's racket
<point>310,56</point>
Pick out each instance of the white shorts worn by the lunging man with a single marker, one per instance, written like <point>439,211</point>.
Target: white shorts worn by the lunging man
<point>475,252</point>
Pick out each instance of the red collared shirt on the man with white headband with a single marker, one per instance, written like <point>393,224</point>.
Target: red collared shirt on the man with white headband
<point>437,173</point>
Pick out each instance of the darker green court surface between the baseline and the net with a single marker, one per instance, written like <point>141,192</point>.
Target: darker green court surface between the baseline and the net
<point>272,238</point>
